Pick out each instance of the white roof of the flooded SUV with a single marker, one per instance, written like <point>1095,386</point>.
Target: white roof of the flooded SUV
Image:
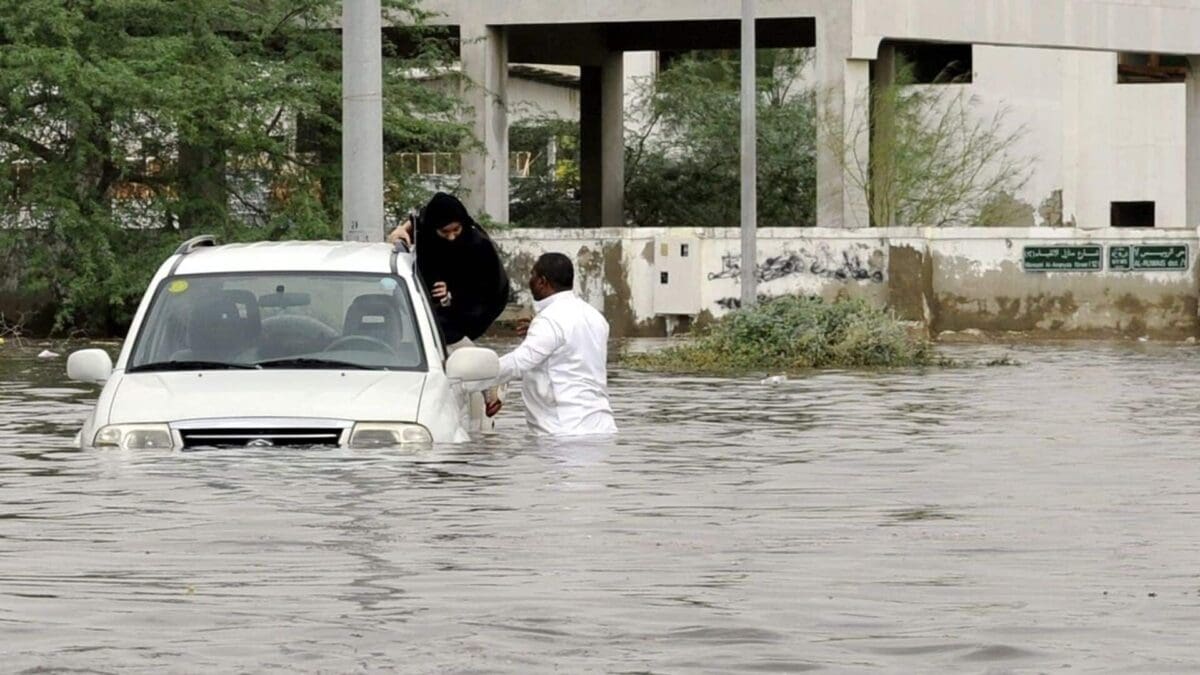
<point>293,256</point>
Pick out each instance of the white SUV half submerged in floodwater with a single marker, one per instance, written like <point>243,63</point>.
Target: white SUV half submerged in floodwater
<point>283,344</point>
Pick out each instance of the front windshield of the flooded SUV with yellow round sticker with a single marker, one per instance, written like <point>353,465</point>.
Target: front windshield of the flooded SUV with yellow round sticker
<point>280,320</point>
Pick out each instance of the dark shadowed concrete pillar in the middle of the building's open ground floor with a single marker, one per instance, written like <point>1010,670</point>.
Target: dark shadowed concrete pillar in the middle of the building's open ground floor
<point>603,142</point>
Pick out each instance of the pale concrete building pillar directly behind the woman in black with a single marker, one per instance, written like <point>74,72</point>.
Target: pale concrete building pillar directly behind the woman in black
<point>485,169</point>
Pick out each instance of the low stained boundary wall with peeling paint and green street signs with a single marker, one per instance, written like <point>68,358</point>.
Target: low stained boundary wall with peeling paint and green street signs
<point>950,279</point>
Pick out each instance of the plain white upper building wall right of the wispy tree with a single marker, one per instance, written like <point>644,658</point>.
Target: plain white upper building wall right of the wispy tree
<point>1094,140</point>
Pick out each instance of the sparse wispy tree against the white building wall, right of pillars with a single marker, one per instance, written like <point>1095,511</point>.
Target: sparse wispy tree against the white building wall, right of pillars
<point>934,160</point>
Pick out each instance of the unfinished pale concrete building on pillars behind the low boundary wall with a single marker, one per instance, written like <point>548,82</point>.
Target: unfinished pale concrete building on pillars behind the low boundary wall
<point>1097,141</point>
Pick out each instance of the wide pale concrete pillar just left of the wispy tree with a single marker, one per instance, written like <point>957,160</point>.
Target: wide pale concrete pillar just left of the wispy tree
<point>844,111</point>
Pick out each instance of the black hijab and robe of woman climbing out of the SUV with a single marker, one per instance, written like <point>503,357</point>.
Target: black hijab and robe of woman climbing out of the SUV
<point>470,266</point>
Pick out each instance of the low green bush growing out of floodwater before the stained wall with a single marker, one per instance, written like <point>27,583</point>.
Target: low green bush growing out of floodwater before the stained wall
<point>794,334</point>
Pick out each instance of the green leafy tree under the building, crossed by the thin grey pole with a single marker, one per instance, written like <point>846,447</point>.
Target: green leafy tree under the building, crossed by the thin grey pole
<point>683,158</point>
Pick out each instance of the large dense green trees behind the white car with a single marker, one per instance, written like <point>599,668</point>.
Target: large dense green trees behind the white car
<point>127,127</point>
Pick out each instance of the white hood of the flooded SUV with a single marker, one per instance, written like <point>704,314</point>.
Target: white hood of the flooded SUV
<point>327,395</point>
